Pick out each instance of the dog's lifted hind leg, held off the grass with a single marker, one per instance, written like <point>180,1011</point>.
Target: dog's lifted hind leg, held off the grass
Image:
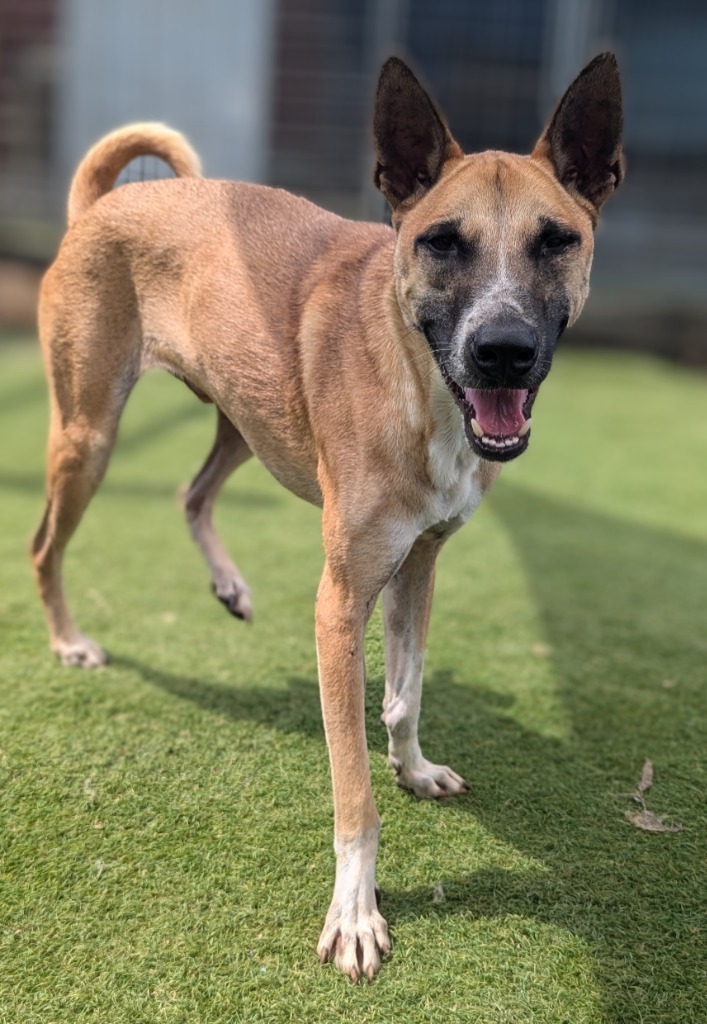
<point>229,452</point>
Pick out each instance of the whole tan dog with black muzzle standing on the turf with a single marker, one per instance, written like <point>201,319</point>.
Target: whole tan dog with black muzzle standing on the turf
<point>380,373</point>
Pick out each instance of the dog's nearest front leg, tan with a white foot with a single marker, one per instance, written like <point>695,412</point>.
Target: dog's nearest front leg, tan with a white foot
<point>355,934</point>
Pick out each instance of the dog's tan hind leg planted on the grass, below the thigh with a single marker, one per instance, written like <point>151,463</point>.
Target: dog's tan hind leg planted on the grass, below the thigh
<point>82,434</point>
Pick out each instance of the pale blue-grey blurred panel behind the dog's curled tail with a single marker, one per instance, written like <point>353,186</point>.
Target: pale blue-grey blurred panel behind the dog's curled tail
<point>201,67</point>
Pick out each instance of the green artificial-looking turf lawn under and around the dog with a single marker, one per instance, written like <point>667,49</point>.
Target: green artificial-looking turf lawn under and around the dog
<point>167,822</point>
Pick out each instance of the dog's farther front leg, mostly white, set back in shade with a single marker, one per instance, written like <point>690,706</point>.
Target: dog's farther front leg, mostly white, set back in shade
<point>407,603</point>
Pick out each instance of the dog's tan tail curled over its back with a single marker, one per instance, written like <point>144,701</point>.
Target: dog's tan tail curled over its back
<point>98,172</point>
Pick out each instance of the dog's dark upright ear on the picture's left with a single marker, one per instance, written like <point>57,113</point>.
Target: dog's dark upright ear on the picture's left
<point>412,141</point>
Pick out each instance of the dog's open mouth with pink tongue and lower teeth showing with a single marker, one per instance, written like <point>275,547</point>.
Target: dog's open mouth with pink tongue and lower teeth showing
<point>497,421</point>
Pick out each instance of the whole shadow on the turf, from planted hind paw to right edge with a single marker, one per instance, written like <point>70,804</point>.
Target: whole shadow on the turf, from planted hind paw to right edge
<point>622,607</point>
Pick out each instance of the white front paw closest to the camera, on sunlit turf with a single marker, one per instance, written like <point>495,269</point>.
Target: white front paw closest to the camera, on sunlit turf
<point>356,938</point>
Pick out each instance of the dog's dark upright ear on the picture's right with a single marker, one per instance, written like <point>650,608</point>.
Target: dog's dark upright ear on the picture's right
<point>584,140</point>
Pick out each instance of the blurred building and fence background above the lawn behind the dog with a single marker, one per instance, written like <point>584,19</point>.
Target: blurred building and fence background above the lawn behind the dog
<point>280,92</point>
